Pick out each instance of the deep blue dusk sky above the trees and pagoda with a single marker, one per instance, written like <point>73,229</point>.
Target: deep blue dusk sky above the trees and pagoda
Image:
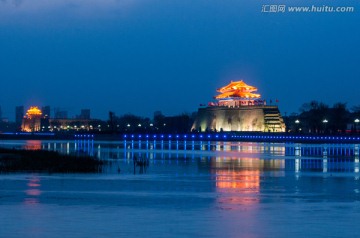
<point>139,56</point>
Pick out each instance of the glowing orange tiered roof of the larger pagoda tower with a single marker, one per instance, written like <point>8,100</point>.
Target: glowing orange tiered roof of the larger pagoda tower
<point>237,89</point>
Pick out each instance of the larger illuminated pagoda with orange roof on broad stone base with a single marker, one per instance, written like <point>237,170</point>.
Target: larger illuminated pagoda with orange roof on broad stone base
<point>238,108</point>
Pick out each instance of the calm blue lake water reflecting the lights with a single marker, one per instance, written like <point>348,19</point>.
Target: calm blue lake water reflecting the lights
<point>192,189</point>
